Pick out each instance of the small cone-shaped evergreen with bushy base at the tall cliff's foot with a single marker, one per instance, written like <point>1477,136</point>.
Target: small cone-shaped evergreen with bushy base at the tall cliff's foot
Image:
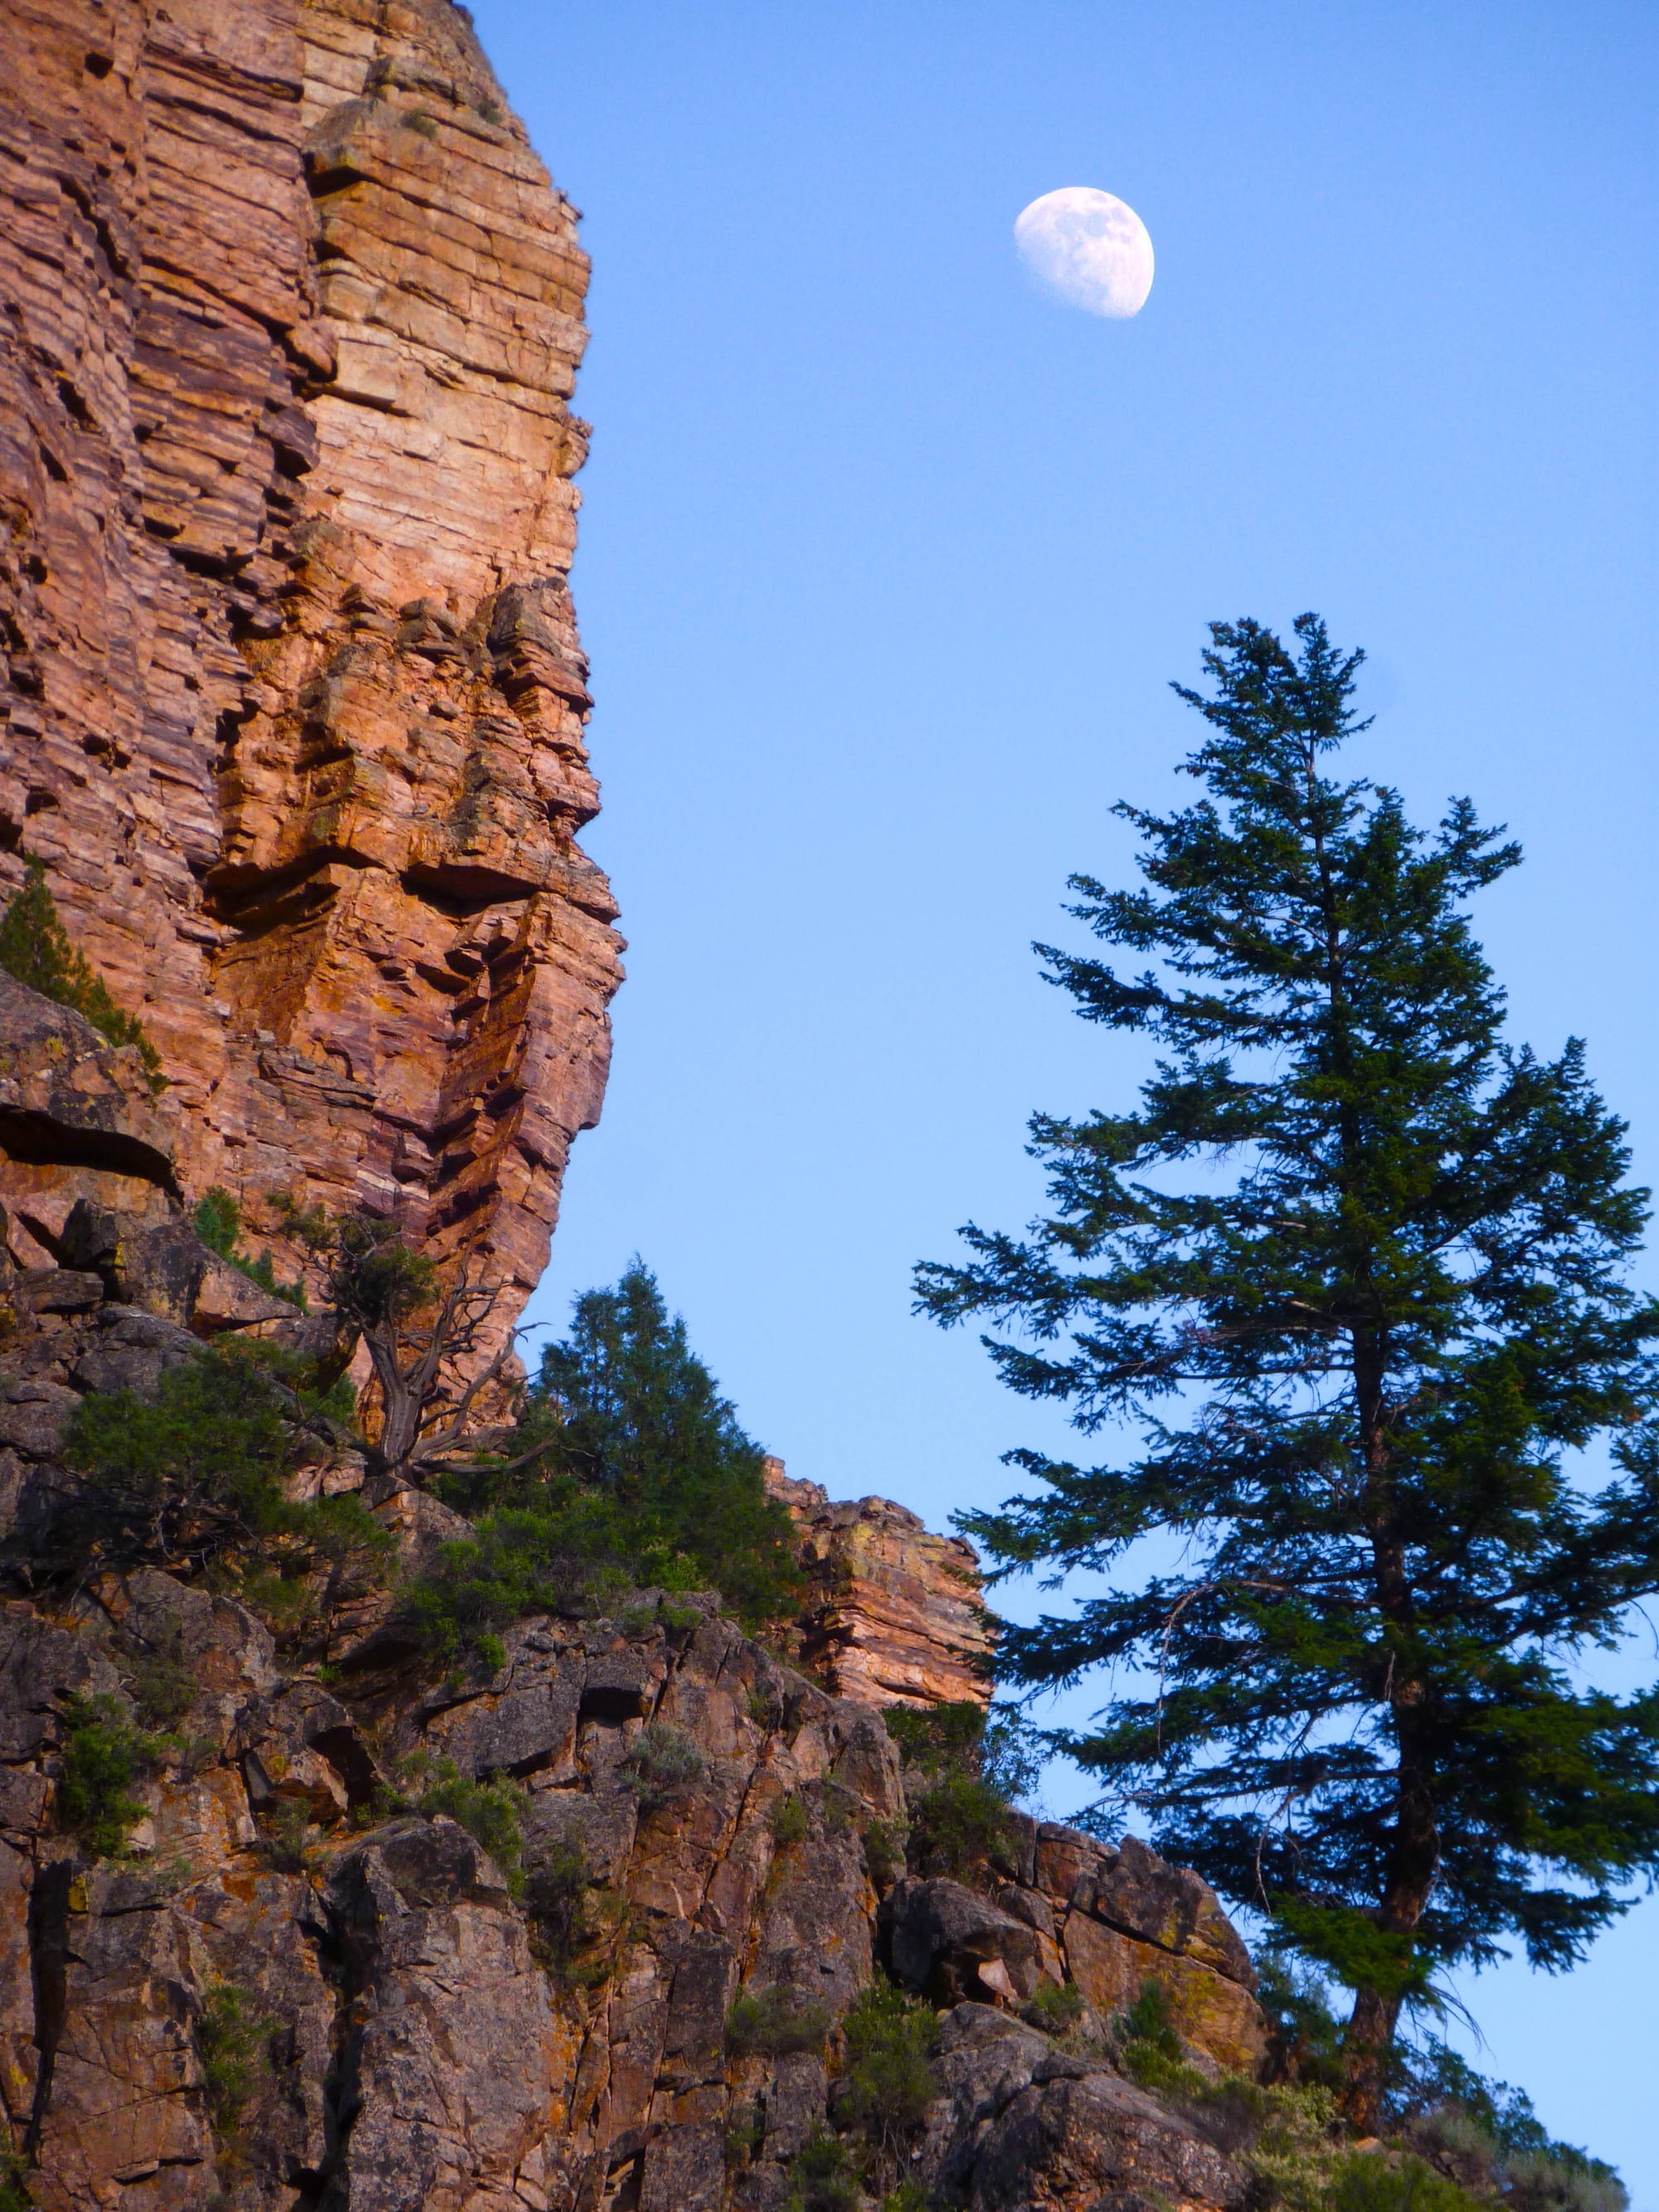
<point>634,1477</point>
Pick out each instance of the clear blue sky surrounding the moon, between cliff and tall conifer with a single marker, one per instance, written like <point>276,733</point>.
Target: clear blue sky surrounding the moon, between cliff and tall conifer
<point>888,563</point>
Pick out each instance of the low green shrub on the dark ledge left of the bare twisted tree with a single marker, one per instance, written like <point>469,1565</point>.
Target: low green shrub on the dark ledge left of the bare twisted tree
<point>198,1477</point>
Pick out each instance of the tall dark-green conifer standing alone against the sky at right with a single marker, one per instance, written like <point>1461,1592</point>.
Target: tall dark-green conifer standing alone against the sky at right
<point>1353,1273</point>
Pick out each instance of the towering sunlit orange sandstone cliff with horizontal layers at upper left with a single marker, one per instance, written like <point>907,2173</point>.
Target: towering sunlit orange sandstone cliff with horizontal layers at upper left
<point>293,691</point>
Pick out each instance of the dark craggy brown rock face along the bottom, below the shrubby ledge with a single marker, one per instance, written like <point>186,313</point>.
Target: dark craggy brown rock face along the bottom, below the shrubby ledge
<point>439,2036</point>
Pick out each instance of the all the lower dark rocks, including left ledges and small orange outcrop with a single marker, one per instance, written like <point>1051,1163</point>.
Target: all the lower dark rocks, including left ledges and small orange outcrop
<point>328,1921</point>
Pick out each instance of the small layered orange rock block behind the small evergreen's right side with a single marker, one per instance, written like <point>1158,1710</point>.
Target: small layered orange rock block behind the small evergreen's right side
<point>895,1614</point>
